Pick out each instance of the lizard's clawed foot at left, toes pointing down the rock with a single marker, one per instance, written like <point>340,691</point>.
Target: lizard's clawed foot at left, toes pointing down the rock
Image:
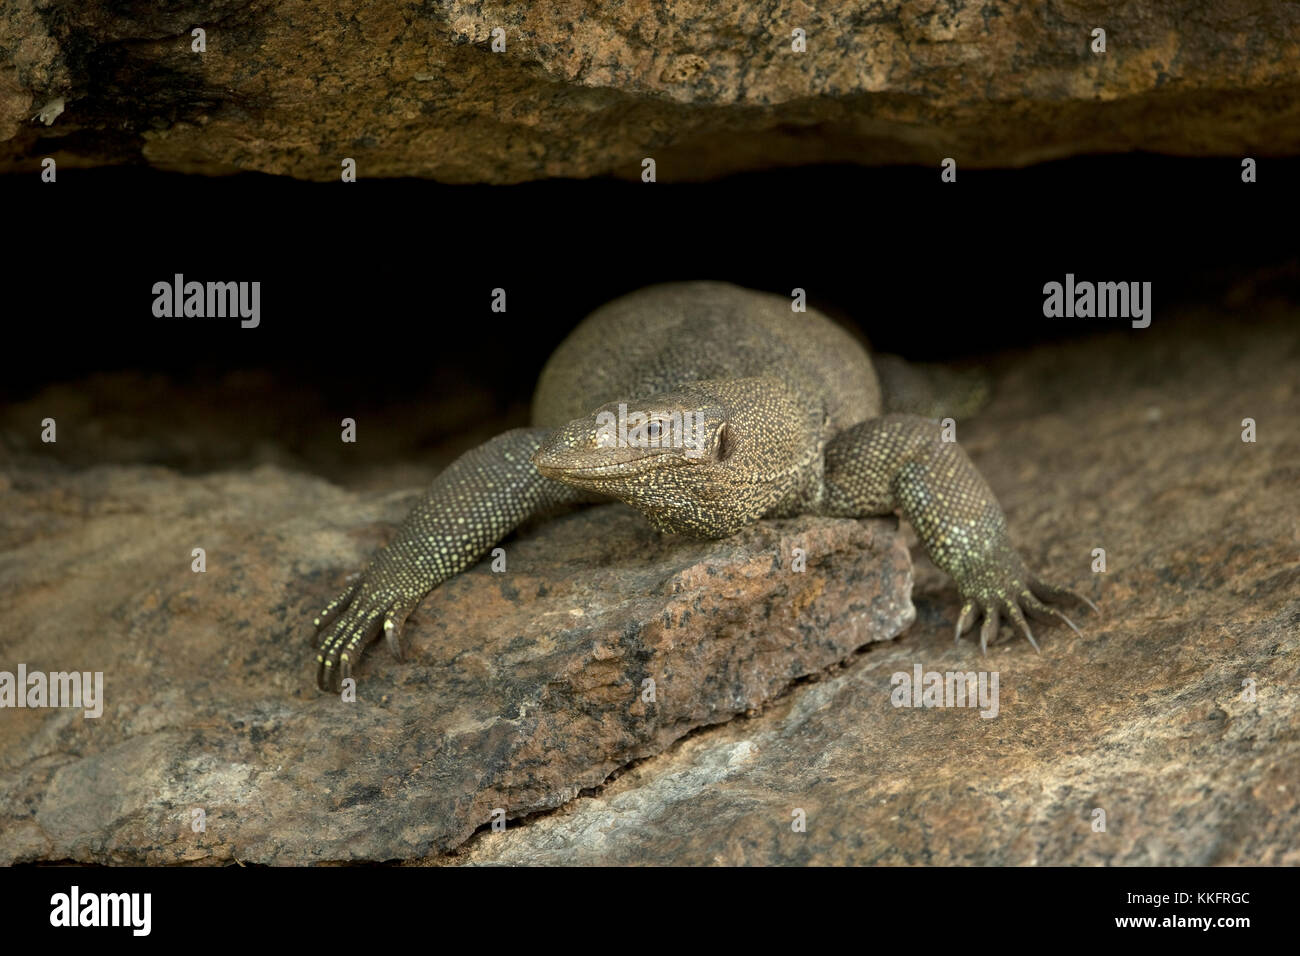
<point>349,624</point>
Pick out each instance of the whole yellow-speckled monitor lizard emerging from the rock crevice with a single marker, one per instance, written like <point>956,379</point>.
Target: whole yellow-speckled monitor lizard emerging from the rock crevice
<point>707,408</point>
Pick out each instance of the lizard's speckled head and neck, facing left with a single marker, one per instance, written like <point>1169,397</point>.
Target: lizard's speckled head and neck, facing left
<point>704,460</point>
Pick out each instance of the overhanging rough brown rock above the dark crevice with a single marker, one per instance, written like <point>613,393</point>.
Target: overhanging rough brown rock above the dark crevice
<point>590,88</point>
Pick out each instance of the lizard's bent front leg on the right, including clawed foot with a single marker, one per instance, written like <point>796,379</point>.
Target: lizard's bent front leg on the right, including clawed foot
<point>900,462</point>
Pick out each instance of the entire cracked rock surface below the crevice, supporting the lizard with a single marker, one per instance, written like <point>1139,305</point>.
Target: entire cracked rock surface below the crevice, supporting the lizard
<point>1128,442</point>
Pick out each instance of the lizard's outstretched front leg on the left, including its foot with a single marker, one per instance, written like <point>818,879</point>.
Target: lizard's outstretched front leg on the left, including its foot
<point>474,504</point>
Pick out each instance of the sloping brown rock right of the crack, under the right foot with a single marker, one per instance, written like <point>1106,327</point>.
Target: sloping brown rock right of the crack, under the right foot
<point>1132,443</point>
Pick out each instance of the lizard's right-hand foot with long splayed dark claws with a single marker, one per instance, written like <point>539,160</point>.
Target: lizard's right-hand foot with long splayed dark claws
<point>1011,592</point>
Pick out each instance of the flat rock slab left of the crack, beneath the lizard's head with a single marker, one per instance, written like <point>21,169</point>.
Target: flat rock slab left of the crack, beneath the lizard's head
<point>521,689</point>
